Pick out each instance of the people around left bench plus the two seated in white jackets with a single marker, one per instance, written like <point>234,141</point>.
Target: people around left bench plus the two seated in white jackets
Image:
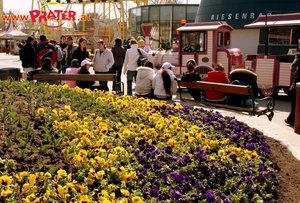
<point>68,58</point>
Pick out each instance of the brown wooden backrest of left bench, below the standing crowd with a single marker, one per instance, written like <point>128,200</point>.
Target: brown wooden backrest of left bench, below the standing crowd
<point>75,77</point>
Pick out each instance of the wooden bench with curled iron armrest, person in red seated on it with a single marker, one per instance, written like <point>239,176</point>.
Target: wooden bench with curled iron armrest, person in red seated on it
<point>229,88</point>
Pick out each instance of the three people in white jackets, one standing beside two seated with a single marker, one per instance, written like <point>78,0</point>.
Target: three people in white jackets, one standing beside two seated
<point>149,83</point>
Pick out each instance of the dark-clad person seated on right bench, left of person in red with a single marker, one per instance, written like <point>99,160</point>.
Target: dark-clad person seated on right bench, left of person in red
<point>191,75</point>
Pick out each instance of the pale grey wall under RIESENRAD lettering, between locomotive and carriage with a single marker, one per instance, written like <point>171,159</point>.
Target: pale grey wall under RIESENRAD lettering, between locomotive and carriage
<point>246,40</point>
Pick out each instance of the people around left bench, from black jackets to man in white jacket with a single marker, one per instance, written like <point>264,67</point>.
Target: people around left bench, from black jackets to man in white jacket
<point>66,57</point>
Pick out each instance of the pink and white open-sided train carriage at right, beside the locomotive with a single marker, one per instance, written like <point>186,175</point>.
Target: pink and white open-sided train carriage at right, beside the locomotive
<point>274,70</point>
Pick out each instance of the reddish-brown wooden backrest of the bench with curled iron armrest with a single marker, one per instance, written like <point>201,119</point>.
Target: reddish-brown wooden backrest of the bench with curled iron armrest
<point>220,87</point>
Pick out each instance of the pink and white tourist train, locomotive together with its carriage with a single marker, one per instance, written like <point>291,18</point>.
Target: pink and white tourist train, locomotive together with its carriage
<point>210,42</point>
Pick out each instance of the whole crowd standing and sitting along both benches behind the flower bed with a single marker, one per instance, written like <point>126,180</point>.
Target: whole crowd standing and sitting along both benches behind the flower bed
<point>67,57</point>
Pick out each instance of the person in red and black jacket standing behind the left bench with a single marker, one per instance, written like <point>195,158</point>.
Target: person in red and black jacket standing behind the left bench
<point>44,49</point>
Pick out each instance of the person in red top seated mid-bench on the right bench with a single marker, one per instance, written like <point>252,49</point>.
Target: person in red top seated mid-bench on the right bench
<point>218,76</point>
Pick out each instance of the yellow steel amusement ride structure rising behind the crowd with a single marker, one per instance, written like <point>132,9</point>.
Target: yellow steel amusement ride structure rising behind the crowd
<point>104,19</point>
